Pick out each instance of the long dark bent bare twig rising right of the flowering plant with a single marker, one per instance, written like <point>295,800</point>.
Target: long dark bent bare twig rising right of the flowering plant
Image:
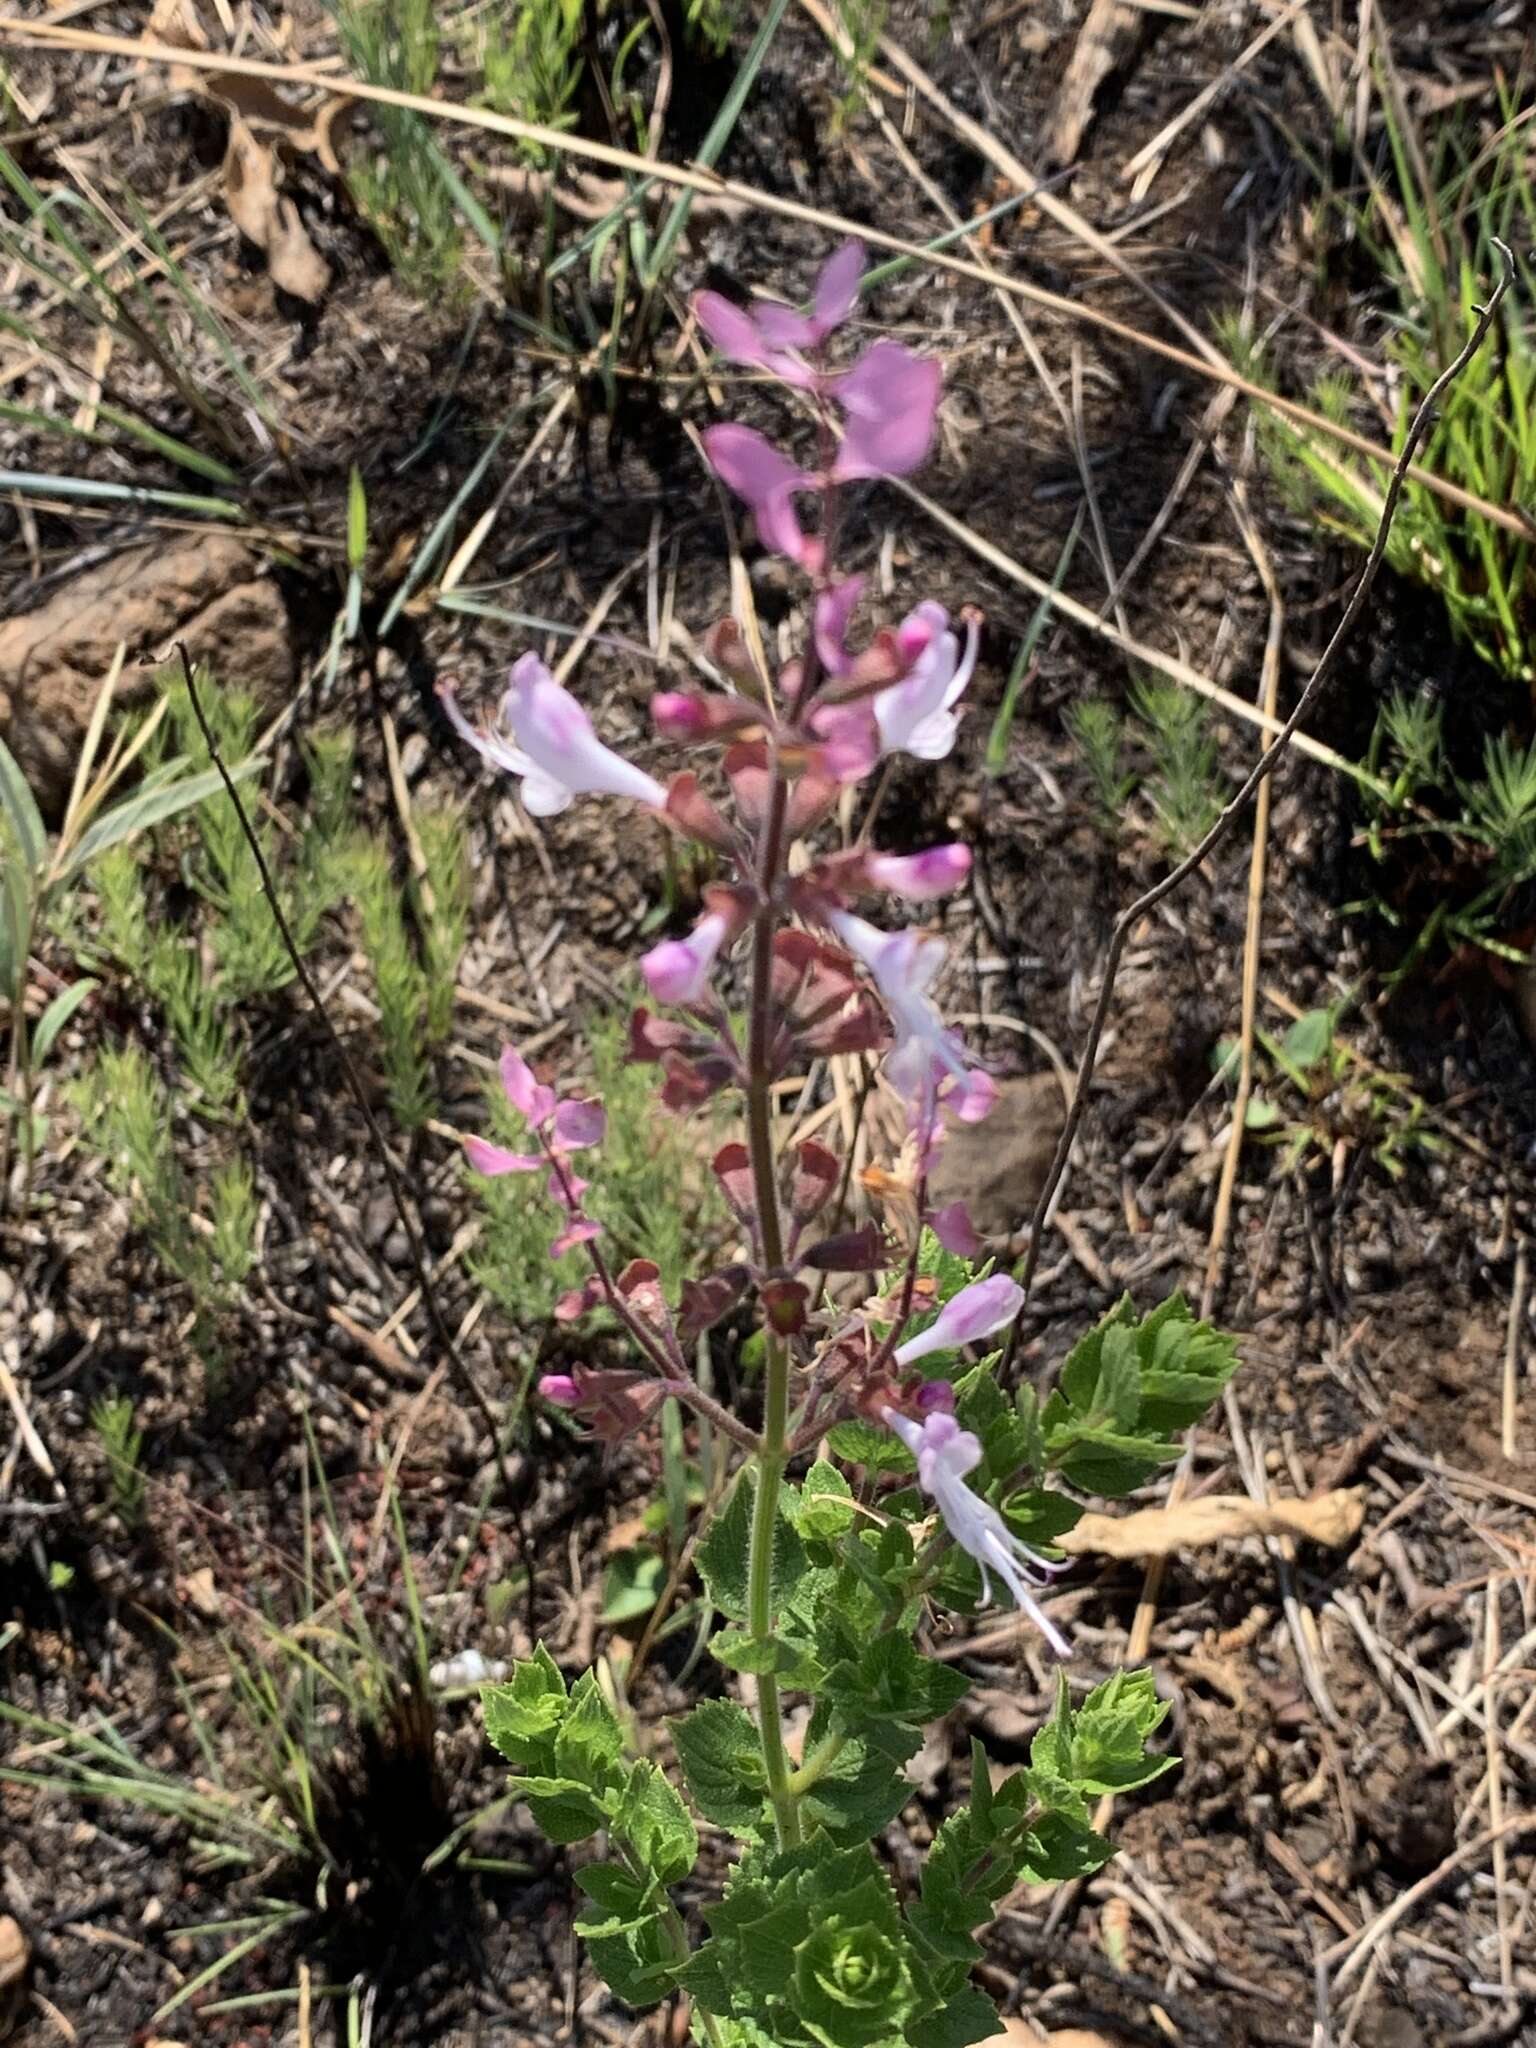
<point>1263,769</point>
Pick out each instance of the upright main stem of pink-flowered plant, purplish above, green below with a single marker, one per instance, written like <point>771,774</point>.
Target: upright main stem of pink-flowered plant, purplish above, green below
<point>775,1420</point>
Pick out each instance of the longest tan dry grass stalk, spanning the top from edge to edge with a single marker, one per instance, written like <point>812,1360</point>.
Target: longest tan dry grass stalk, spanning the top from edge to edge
<point>1201,359</point>
